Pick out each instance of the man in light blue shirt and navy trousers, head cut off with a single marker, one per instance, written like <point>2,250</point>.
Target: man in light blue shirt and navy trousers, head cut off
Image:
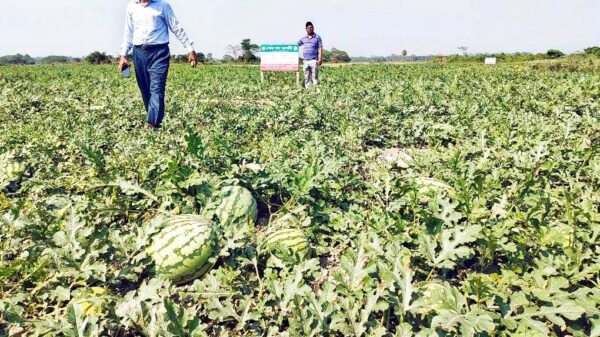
<point>147,26</point>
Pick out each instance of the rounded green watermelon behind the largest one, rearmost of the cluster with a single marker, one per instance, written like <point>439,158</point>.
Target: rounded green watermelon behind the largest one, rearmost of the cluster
<point>237,207</point>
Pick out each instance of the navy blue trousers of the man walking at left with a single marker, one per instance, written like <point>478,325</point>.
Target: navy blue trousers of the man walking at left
<point>151,69</point>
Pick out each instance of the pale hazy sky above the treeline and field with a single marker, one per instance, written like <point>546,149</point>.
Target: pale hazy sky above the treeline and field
<point>360,27</point>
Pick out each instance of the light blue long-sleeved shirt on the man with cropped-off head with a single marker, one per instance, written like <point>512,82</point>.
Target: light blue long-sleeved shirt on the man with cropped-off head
<point>150,25</point>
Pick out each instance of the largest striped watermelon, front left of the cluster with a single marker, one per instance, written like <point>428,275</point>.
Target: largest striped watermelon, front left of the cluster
<point>182,249</point>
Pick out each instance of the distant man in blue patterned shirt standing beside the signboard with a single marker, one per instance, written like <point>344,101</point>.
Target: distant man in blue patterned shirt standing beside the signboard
<point>313,55</point>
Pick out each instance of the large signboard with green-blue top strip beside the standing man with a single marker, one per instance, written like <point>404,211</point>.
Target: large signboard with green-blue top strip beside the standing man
<point>279,57</point>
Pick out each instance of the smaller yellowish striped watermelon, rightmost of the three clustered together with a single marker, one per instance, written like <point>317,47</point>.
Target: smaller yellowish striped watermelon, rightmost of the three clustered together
<point>282,241</point>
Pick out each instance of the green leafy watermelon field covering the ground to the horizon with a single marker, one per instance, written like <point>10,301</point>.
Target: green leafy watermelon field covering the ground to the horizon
<point>391,200</point>
